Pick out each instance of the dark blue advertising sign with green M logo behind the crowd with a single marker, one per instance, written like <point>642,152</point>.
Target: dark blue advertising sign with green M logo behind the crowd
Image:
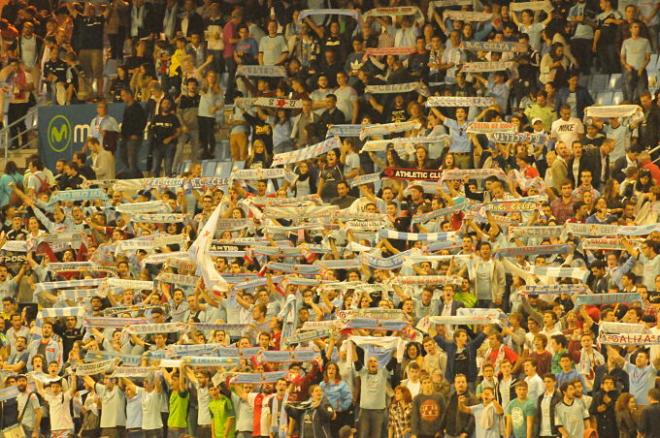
<point>63,130</point>
